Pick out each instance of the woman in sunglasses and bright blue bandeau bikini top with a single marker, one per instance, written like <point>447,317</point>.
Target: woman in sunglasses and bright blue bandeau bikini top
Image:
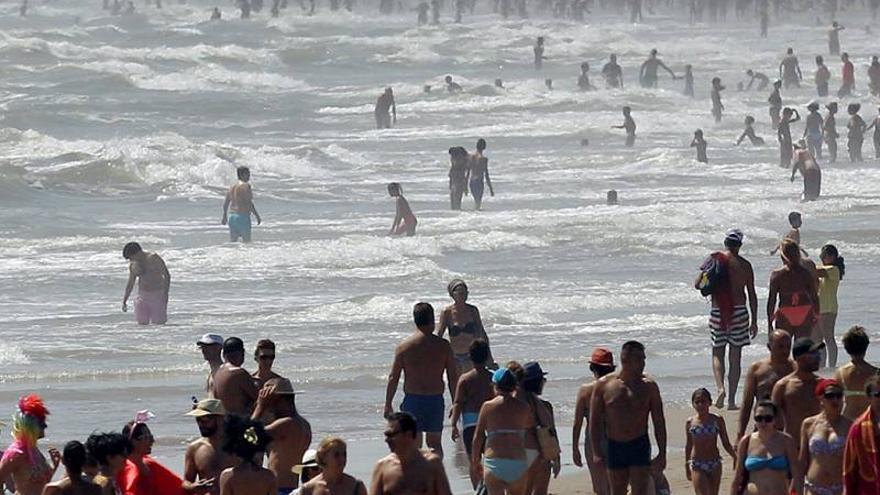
<point>766,457</point>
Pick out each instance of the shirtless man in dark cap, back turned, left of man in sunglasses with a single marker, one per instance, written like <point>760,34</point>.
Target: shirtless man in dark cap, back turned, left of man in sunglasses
<point>232,384</point>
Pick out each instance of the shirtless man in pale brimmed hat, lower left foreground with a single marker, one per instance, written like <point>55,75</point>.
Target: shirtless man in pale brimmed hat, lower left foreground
<point>205,459</point>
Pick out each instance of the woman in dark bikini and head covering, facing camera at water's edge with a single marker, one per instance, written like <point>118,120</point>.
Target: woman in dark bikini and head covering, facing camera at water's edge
<point>464,325</point>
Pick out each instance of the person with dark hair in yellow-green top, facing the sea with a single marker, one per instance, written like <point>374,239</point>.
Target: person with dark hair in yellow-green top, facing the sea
<point>830,274</point>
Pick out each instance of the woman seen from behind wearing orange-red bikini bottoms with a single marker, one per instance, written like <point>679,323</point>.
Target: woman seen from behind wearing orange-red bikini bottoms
<point>796,289</point>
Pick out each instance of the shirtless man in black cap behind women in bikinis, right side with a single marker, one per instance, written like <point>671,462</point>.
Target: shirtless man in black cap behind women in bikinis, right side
<point>794,393</point>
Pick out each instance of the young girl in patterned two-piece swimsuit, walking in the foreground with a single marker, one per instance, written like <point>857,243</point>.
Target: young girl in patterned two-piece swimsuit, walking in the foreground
<point>702,458</point>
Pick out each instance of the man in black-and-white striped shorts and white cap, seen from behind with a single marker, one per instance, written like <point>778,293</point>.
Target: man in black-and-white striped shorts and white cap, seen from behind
<point>731,323</point>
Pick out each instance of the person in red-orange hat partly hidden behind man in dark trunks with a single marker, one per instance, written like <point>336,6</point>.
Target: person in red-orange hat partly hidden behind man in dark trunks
<point>601,364</point>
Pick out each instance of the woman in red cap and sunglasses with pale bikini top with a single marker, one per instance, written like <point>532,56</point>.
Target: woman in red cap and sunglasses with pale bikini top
<point>823,437</point>
